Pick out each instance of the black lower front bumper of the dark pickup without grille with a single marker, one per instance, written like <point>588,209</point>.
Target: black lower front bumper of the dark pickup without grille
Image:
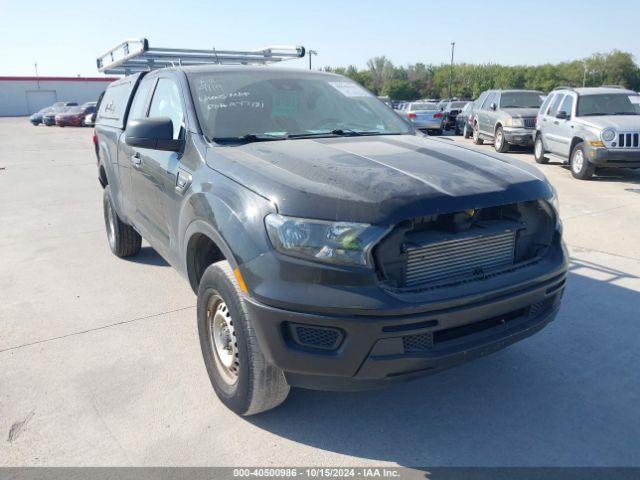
<point>353,352</point>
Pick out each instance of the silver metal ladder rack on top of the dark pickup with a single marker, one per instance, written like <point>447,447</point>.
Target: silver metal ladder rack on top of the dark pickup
<point>135,55</point>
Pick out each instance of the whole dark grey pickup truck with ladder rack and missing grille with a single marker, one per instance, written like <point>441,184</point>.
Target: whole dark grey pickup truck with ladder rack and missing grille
<point>330,245</point>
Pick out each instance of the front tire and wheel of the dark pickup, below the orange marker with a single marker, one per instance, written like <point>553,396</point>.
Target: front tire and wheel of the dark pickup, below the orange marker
<point>237,369</point>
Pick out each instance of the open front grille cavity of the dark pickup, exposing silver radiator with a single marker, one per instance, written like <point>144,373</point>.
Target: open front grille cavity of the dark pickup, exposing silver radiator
<point>447,249</point>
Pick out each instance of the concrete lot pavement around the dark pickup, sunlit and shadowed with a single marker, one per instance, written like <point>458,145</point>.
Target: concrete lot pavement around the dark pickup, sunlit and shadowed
<point>100,362</point>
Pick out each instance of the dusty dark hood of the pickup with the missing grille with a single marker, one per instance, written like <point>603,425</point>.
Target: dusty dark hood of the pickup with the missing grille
<point>378,179</point>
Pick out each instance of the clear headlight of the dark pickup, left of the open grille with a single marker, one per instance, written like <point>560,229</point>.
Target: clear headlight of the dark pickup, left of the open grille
<point>341,243</point>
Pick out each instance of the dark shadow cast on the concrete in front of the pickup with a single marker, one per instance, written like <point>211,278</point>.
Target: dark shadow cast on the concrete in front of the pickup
<point>566,396</point>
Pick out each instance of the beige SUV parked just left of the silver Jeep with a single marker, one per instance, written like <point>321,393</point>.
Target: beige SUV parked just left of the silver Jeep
<point>507,117</point>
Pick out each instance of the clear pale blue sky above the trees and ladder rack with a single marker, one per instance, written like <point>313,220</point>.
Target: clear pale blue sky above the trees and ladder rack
<point>64,37</point>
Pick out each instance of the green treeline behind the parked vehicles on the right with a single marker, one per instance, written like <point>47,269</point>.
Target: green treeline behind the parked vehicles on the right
<point>432,81</point>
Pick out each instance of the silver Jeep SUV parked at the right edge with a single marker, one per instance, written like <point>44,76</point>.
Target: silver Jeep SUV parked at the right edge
<point>589,128</point>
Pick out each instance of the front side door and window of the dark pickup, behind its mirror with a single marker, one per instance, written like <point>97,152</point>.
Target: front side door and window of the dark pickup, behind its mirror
<point>153,176</point>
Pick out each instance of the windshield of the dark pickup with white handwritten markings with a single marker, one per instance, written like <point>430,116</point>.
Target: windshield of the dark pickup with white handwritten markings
<point>284,104</point>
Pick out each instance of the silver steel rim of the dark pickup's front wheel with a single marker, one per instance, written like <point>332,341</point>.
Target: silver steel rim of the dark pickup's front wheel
<point>222,338</point>
